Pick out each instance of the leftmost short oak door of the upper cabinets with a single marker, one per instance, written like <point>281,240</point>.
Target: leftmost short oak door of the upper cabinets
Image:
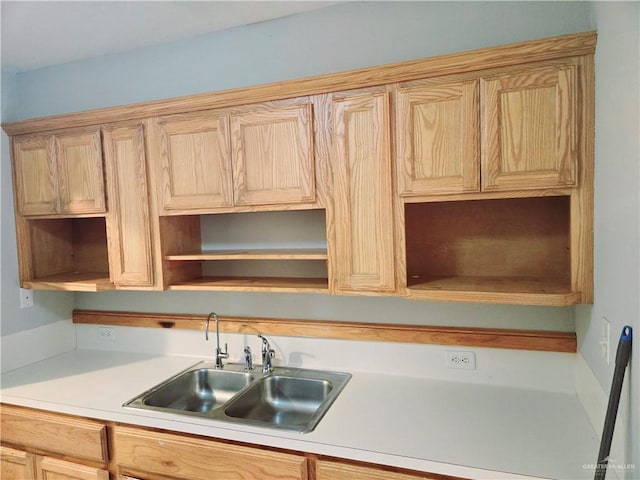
<point>36,176</point>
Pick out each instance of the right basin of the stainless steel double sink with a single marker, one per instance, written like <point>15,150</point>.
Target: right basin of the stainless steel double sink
<point>288,402</point>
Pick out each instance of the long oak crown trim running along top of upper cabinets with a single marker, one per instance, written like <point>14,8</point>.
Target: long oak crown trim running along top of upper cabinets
<point>493,57</point>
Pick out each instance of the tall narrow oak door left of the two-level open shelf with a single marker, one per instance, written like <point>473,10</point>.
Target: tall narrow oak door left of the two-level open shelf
<point>128,229</point>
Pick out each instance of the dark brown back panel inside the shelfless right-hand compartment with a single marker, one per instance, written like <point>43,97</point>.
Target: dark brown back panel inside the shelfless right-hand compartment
<point>527,237</point>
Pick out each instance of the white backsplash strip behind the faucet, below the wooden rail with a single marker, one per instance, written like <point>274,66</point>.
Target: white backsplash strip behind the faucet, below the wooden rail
<point>548,371</point>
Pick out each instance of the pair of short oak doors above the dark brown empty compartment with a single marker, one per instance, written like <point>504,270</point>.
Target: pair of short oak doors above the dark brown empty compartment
<point>516,131</point>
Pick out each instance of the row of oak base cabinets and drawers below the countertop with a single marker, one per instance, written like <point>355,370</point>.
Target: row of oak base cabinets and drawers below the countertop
<point>40,445</point>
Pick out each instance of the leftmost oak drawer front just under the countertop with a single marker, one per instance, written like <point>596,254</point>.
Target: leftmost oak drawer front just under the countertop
<point>70,436</point>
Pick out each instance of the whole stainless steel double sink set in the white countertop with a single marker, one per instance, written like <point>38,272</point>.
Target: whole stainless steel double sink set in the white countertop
<point>292,399</point>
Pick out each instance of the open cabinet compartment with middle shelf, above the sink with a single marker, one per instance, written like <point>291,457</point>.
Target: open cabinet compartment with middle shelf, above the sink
<point>259,251</point>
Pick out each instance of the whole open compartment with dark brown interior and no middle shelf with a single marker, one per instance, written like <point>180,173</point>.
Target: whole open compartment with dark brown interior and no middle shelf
<point>514,250</point>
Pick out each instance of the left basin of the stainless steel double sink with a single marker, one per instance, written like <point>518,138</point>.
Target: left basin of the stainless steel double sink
<point>200,389</point>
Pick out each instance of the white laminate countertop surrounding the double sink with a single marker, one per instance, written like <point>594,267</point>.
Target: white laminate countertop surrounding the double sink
<point>451,428</point>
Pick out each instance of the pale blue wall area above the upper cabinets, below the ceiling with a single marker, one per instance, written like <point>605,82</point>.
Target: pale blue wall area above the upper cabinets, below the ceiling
<point>341,37</point>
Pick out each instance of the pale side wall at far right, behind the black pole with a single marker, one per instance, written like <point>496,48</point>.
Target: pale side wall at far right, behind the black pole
<point>617,208</point>
